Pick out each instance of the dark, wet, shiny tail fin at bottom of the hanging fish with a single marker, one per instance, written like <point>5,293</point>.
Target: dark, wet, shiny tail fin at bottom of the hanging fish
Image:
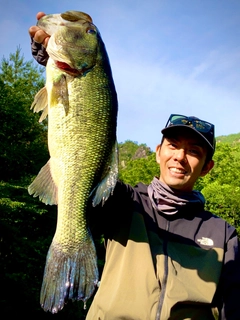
<point>68,276</point>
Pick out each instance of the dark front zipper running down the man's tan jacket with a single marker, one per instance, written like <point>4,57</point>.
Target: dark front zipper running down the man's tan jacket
<point>164,282</point>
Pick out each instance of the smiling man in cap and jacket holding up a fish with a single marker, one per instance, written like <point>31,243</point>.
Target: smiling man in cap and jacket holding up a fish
<point>166,257</point>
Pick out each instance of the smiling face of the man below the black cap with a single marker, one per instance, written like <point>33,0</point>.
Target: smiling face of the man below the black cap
<point>182,160</point>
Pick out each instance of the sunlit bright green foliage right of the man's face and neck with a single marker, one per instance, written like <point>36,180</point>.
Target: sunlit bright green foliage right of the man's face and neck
<point>221,186</point>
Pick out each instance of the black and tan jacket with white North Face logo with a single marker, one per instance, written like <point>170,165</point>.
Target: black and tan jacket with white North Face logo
<point>164,266</point>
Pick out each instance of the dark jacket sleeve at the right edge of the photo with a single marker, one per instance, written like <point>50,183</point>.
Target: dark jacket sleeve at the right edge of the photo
<point>230,283</point>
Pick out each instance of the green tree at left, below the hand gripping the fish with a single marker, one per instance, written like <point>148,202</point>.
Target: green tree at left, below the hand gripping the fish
<point>23,140</point>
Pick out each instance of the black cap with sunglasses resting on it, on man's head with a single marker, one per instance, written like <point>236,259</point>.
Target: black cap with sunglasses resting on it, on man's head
<point>203,128</point>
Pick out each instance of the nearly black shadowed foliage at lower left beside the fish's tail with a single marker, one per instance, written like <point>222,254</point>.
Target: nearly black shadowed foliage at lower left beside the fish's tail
<point>23,243</point>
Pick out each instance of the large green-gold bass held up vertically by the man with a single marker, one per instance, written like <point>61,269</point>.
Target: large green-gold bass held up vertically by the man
<point>80,102</point>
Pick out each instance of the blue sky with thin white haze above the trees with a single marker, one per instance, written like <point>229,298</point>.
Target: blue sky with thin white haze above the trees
<point>167,56</point>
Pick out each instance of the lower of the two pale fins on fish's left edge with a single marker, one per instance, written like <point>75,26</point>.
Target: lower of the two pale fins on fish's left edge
<point>44,186</point>
